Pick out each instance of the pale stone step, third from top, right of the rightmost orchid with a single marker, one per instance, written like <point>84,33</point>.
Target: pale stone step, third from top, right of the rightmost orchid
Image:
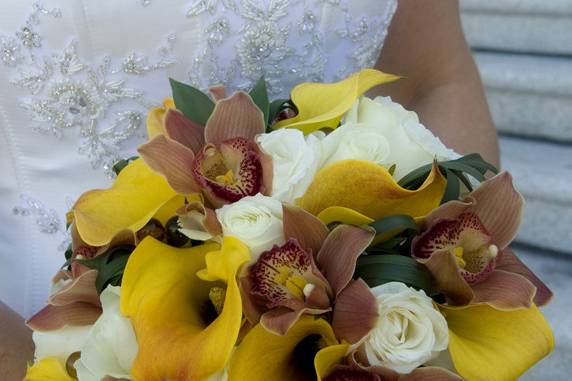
<point>543,174</point>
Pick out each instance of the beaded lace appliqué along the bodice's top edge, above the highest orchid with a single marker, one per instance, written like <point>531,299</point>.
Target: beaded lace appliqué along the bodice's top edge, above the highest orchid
<point>269,42</point>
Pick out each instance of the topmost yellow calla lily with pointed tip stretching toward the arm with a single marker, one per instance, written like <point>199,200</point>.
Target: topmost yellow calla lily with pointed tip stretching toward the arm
<point>322,105</point>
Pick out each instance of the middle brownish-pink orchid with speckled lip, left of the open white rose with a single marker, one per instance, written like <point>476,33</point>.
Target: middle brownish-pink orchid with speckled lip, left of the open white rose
<point>306,274</point>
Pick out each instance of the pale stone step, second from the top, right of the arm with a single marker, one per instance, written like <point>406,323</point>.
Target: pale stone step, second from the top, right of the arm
<point>529,95</point>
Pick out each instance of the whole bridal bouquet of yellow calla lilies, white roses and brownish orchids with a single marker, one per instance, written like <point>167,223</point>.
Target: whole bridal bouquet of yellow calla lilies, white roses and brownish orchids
<point>327,236</point>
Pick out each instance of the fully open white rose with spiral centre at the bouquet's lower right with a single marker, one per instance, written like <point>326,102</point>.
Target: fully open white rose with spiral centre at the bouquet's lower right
<point>410,331</point>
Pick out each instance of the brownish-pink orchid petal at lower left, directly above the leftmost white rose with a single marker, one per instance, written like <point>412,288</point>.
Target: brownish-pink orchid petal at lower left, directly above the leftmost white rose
<point>51,317</point>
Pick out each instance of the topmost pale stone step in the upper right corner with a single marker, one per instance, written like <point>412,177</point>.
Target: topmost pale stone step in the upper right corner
<point>532,26</point>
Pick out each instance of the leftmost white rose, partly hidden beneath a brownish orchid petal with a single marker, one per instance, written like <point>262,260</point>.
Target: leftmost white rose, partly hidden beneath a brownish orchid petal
<point>60,343</point>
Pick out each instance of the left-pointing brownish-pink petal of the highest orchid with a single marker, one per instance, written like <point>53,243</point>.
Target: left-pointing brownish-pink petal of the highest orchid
<point>172,160</point>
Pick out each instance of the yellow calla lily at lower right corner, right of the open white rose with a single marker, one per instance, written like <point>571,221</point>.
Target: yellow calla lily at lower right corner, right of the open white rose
<point>488,344</point>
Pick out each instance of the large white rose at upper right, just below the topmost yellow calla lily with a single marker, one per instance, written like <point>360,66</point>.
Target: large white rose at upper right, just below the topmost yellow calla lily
<point>383,132</point>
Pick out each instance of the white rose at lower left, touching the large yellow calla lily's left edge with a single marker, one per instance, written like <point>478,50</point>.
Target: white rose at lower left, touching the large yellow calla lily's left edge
<point>111,345</point>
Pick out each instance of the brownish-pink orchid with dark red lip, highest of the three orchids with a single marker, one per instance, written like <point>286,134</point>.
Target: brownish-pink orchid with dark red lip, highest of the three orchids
<point>220,160</point>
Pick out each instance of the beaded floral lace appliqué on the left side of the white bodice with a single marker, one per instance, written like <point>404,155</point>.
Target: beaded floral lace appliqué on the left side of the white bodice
<point>67,92</point>
